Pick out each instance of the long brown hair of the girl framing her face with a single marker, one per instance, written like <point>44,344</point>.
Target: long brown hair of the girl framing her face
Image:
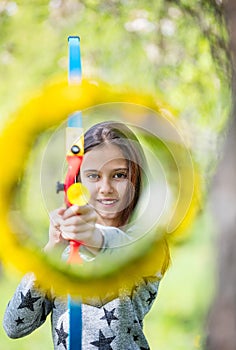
<point>120,135</point>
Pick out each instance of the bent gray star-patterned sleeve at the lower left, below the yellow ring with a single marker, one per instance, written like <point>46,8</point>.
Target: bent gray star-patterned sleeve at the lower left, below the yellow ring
<point>27,310</point>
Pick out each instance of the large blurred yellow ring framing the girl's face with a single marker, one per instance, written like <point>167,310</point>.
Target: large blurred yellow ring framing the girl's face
<point>47,108</point>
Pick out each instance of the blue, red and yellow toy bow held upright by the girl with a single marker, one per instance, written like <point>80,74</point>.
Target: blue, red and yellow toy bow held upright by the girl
<point>75,193</point>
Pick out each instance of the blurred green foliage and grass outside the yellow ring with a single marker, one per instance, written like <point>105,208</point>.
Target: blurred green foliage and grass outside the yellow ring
<point>174,49</point>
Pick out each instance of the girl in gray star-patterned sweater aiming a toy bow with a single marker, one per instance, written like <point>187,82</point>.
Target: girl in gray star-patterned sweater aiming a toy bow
<point>112,171</point>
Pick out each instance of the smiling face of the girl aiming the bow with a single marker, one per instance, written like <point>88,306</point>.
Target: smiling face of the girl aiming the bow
<point>104,171</point>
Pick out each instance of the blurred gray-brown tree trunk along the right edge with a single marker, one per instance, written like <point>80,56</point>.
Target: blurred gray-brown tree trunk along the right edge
<point>222,318</point>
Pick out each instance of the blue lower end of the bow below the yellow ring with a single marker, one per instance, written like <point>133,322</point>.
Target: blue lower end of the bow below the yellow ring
<point>75,324</point>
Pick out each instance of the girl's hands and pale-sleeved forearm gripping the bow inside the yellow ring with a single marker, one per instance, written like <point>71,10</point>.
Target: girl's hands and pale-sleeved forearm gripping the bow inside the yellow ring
<point>79,224</point>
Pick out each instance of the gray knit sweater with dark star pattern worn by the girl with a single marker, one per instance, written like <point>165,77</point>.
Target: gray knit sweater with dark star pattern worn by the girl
<point>106,325</point>
